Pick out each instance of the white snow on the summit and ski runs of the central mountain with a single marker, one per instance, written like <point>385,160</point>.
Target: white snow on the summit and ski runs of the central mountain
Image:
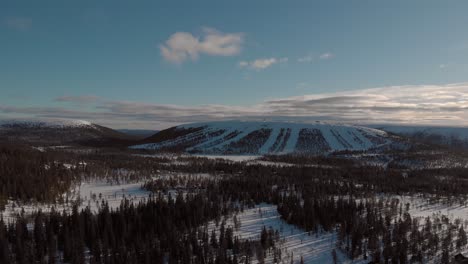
<point>337,136</point>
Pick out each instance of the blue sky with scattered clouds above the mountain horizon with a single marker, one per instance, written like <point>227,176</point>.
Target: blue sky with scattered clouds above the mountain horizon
<point>155,64</point>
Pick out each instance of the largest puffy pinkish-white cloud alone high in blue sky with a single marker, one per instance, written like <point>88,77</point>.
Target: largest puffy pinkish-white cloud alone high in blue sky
<point>182,46</point>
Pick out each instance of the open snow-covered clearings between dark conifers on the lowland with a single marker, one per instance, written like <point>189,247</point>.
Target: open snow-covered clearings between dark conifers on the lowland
<point>294,241</point>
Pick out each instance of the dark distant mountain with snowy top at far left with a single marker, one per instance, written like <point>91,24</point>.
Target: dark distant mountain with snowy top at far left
<point>58,131</point>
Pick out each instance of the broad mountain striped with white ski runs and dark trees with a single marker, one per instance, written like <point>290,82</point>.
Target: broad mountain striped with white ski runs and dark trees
<point>239,137</point>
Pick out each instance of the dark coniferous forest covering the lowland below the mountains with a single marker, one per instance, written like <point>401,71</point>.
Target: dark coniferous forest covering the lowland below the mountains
<point>356,201</point>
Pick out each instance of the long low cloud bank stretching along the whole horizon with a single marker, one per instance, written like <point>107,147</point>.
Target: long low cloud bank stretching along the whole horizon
<point>414,104</point>
